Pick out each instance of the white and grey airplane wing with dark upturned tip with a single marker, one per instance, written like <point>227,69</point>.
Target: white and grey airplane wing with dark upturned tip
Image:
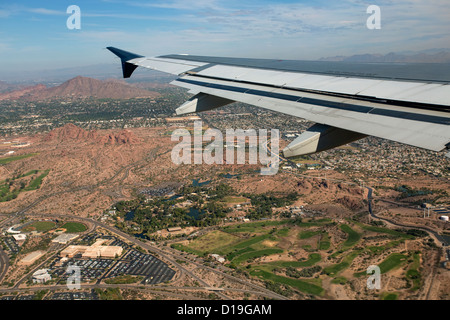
<point>346,101</point>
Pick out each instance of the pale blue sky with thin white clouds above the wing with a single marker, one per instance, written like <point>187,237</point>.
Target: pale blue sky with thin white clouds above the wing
<point>34,34</point>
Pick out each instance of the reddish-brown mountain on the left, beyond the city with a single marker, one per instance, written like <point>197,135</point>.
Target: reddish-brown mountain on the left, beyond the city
<point>80,87</point>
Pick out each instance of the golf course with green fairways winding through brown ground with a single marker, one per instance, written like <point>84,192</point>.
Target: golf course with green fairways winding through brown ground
<point>244,244</point>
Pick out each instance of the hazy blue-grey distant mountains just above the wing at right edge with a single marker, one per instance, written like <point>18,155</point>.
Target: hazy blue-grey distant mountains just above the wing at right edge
<point>423,57</point>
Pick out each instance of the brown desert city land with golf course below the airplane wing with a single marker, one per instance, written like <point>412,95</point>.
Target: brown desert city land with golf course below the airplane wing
<point>97,189</point>
